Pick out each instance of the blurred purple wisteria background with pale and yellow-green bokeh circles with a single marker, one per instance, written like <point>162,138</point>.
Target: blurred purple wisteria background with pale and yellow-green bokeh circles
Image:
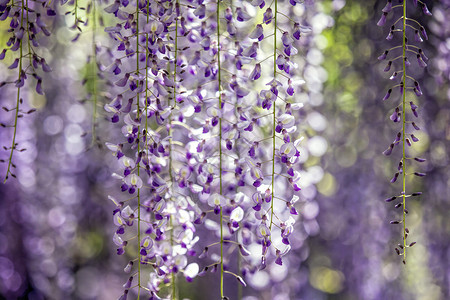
<point>56,221</point>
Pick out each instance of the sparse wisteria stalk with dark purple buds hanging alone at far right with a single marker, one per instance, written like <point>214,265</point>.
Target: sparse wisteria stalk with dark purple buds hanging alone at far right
<point>405,137</point>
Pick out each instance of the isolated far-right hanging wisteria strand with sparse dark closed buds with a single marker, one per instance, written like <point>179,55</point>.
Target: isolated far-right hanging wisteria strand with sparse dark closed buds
<point>409,30</point>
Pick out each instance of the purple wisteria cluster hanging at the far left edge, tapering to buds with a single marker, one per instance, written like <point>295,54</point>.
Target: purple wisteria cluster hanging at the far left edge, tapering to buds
<point>28,23</point>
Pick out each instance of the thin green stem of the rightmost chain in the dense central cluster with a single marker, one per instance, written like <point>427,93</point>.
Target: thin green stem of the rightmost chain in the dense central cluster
<point>274,112</point>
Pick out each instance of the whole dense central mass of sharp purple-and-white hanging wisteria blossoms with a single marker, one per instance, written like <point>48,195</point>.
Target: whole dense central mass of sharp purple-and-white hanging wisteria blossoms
<point>209,137</point>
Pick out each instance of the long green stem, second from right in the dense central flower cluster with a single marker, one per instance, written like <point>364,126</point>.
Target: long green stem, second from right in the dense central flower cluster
<point>220,146</point>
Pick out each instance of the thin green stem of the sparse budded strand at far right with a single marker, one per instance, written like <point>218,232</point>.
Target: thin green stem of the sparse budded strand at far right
<point>404,132</point>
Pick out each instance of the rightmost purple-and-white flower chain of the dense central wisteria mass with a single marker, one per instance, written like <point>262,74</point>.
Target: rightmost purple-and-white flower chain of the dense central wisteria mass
<point>274,108</point>
